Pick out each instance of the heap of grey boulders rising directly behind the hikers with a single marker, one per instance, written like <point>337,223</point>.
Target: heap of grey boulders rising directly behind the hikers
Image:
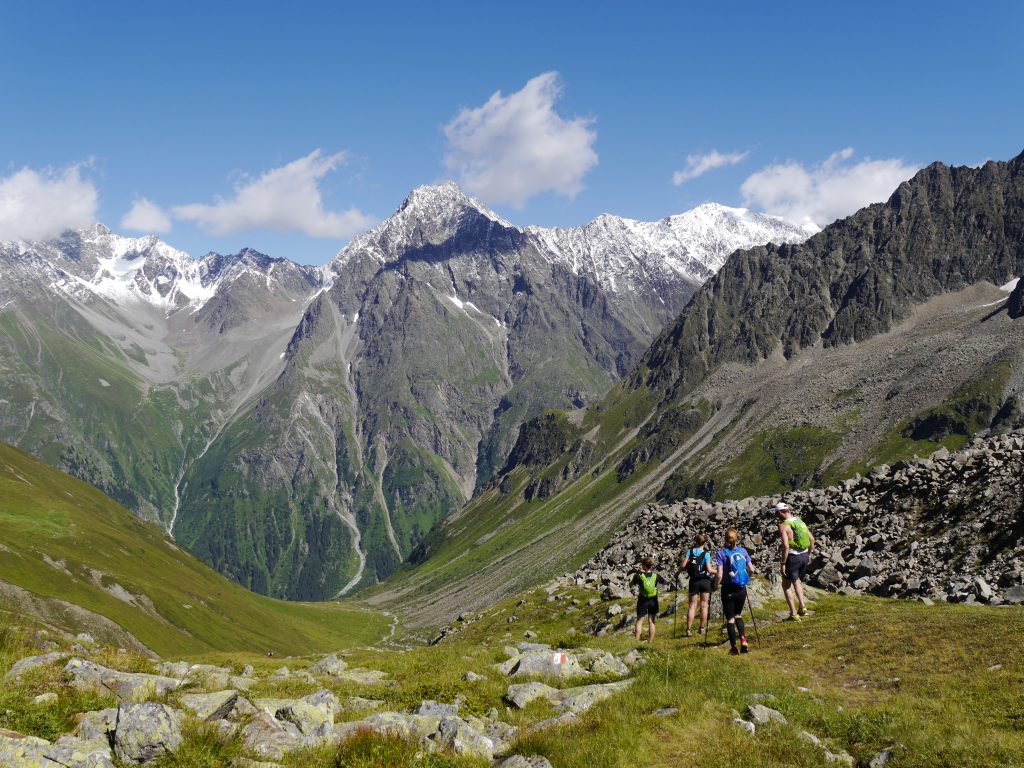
<point>947,528</point>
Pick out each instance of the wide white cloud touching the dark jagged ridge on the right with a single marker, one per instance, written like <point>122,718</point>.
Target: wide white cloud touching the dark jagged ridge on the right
<point>829,191</point>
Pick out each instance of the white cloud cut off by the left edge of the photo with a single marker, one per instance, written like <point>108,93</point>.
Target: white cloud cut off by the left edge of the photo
<point>41,205</point>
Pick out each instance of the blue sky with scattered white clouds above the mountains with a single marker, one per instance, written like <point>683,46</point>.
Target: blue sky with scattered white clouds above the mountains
<point>814,109</point>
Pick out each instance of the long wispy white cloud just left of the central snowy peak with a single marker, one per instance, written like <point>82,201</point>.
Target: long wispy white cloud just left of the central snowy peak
<point>286,199</point>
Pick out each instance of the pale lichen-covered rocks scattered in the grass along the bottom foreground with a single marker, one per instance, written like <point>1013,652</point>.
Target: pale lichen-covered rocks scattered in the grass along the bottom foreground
<point>154,710</point>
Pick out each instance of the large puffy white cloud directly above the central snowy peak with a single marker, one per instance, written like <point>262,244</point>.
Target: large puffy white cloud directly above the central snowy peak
<point>517,147</point>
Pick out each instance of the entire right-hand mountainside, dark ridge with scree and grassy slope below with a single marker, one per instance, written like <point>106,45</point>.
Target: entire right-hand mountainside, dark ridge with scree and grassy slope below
<point>889,334</point>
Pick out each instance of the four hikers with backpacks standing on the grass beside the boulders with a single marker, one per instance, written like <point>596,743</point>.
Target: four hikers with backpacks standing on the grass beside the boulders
<point>732,569</point>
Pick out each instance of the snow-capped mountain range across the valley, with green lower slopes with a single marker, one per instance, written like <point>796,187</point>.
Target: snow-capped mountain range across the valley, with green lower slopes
<point>303,429</point>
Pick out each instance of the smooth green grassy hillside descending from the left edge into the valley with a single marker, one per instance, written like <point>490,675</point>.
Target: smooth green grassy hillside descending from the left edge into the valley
<point>73,561</point>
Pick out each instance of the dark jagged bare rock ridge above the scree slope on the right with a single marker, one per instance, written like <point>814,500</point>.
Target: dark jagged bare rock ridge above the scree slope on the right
<point>943,231</point>
